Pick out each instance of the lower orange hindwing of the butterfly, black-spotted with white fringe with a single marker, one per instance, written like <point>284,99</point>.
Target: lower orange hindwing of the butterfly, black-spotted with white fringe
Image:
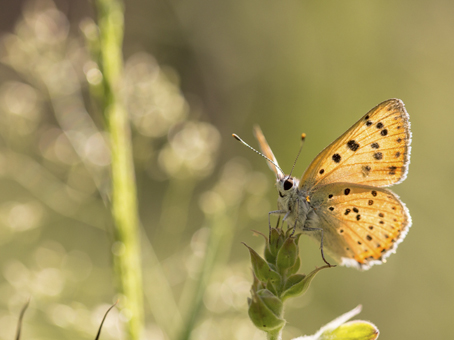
<point>362,225</point>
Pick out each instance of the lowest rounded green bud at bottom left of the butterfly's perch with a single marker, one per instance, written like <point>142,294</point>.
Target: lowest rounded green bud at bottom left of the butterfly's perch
<point>265,310</point>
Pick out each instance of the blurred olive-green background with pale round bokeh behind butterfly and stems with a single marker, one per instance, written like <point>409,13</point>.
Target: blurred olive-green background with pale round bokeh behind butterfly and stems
<point>215,68</point>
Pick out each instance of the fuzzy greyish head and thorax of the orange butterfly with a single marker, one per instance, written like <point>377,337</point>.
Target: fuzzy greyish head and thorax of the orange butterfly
<point>293,203</point>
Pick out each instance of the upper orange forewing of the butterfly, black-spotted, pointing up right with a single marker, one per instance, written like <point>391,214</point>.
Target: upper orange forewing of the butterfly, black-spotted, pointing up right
<point>375,151</point>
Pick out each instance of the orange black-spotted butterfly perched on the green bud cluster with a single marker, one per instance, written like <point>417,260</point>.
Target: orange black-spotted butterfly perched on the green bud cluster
<point>341,198</point>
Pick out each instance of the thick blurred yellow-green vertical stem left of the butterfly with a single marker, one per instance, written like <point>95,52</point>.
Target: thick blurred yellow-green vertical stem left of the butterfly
<point>124,192</point>
